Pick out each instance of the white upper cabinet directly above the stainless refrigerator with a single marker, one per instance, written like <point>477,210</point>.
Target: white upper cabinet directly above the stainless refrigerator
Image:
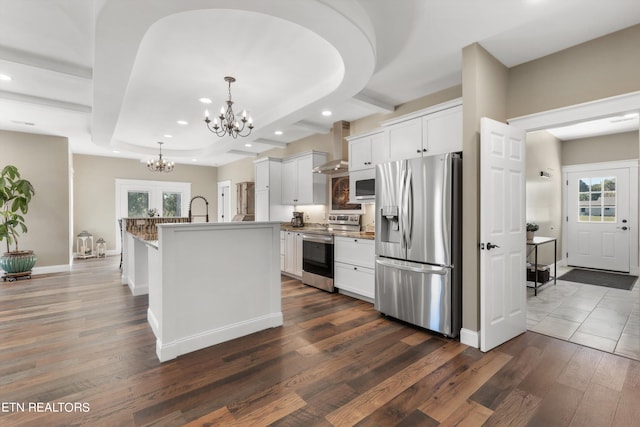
<point>431,131</point>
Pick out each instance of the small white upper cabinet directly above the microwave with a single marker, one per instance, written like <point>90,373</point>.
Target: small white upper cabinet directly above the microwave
<point>368,150</point>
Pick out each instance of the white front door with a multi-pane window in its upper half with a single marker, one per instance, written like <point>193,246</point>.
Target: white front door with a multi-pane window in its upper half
<point>598,220</point>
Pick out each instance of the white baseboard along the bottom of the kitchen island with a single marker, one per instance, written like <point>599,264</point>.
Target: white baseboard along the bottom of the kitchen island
<point>205,339</point>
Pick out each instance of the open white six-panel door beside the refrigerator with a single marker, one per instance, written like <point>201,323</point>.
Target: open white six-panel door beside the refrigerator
<point>503,296</point>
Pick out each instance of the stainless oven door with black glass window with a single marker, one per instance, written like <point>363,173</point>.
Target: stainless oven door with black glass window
<point>317,261</point>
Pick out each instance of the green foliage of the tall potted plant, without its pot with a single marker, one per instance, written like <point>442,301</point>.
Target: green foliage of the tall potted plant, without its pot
<point>15,196</point>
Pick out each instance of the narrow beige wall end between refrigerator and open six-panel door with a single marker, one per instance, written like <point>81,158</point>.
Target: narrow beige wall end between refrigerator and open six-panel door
<point>484,84</point>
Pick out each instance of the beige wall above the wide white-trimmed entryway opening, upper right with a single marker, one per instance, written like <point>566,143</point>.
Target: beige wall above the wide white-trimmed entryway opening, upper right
<point>597,69</point>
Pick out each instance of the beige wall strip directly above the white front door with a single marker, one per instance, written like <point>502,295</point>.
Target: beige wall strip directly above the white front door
<point>604,148</point>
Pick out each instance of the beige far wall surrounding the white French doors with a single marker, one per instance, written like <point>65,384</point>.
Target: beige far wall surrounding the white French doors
<point>94,190</point>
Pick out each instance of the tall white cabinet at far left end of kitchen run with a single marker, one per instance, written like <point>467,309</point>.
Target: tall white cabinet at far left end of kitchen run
<point>268,187</point>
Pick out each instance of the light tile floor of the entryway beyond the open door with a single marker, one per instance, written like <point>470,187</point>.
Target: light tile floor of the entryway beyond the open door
<point>594,316</point>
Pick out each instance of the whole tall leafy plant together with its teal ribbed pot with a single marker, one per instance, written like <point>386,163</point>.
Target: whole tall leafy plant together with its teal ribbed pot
<point>15,196</point>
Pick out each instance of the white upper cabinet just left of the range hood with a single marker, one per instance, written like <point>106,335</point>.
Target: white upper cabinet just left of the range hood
<point>300,186</point>
